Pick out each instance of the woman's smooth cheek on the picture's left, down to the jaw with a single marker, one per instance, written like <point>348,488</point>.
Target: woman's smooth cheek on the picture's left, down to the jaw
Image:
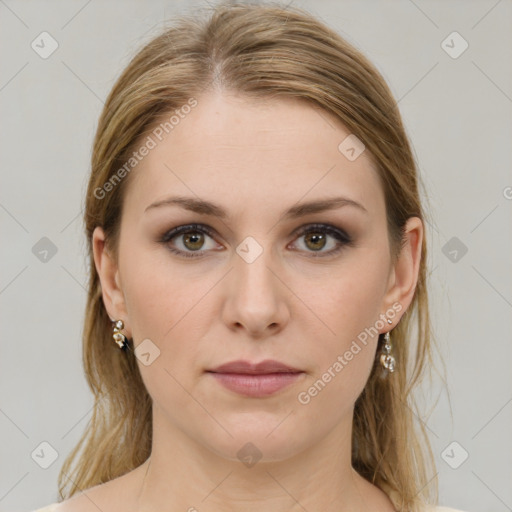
<point>161,305</point>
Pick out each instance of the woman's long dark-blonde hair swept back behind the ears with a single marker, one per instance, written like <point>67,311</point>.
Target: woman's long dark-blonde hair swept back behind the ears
<point>260,52</point>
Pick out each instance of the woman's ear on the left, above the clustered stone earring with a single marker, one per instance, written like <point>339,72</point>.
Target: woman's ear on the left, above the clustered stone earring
<point>108,272</point>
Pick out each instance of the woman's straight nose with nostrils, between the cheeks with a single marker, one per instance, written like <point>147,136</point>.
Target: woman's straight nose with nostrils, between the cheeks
<point>257,296</point>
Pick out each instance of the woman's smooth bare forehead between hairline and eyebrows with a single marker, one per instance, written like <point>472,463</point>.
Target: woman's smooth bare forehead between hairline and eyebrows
<point>253,153</point>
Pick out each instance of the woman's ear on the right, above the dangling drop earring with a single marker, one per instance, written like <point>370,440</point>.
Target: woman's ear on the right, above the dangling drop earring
<point>404,274</point>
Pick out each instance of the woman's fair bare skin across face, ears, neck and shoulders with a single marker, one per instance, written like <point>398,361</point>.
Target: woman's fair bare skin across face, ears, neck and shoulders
<point>256,159</point>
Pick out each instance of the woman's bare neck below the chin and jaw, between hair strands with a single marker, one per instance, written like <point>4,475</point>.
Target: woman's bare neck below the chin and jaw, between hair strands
<point>184,475</point>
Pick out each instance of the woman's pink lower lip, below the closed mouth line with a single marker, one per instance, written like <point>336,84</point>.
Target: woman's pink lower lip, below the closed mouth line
<point>256,385</point>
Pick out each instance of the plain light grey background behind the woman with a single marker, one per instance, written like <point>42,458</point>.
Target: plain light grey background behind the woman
<point>457,112</point>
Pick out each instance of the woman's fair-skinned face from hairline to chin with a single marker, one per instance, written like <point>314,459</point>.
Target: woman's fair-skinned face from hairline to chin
<point>263,280</point>
